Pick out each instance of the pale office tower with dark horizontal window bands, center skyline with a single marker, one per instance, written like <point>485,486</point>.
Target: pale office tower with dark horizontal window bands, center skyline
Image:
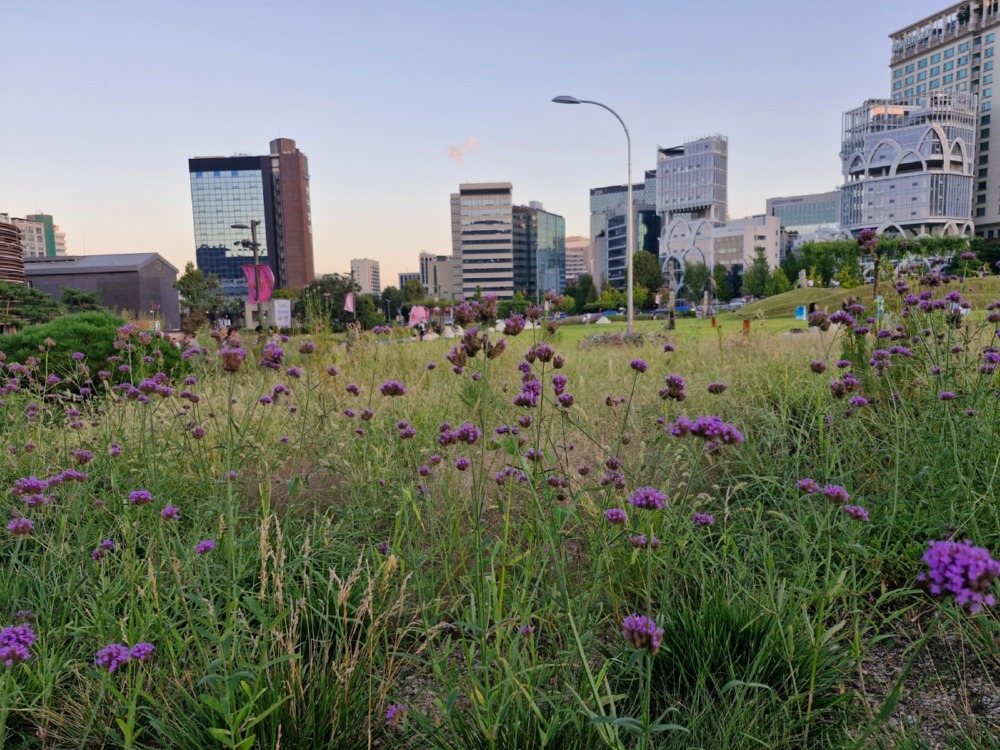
<point>482,219</point>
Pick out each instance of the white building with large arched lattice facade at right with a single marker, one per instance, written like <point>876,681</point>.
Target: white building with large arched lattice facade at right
<point>907,165</point>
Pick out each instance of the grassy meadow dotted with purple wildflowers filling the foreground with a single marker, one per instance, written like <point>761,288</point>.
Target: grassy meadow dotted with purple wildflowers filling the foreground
<point>683,544</point>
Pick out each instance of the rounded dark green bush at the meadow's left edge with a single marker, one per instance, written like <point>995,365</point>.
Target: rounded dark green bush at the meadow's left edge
<point>96,335</point>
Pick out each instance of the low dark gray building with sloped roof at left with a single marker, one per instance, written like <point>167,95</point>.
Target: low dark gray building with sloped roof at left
<point>135,285</point>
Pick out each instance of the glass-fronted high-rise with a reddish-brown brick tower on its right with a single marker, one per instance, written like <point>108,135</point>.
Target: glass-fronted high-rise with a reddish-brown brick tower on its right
<point>273,190</point>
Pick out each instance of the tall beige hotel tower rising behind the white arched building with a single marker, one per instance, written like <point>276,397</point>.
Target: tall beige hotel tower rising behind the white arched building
<point>956,49</point>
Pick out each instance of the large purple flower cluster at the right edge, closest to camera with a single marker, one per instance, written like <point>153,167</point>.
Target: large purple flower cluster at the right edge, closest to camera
<point>961,570</point>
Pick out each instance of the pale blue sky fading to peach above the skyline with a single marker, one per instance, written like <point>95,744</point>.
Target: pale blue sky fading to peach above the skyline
<point>397,102</point>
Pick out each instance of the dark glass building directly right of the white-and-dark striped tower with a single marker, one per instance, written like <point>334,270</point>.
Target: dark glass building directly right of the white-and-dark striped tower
<point>539,250</point>
